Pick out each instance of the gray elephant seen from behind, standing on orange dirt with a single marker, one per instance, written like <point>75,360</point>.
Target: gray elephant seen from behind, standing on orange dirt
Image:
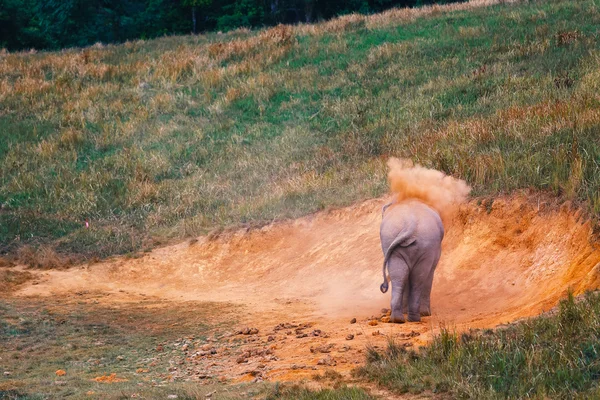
<point>411,238</point>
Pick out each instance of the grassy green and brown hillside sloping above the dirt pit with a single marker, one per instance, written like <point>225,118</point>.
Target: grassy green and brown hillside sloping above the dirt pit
<point>149,141</point>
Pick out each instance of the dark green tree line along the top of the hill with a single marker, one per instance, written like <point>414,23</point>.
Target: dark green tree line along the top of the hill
<point>55,24</point>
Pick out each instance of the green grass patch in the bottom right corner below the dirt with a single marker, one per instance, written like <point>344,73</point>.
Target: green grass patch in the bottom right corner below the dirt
<point>554,355</point>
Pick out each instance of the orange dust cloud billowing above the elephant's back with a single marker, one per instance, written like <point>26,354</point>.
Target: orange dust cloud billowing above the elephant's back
<point>434,188</point>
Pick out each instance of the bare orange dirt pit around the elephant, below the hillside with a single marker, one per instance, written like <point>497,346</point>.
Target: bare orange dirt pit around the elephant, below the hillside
<point>299,284</point>
